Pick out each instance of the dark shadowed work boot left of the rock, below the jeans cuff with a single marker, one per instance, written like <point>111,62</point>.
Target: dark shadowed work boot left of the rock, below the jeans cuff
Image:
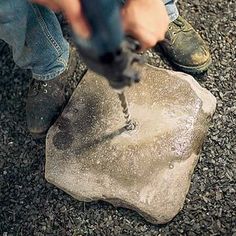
<point>46,99</point>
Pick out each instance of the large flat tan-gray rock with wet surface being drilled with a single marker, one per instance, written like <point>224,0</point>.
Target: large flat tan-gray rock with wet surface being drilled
<point>91,156</point>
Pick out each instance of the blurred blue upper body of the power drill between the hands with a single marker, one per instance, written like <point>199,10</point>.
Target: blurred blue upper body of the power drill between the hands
<point>104,19</point>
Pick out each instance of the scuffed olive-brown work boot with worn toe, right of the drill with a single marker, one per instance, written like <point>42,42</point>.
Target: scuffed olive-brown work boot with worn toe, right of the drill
<point>185,48</point>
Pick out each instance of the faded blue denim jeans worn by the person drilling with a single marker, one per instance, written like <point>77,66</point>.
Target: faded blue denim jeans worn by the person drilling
<point>36,39</point>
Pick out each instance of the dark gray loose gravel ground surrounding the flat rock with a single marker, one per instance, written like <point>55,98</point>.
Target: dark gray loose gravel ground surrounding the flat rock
<point>31,206</point>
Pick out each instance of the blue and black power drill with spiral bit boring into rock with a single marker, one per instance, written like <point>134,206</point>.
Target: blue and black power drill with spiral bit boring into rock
<point>108,52</point>
